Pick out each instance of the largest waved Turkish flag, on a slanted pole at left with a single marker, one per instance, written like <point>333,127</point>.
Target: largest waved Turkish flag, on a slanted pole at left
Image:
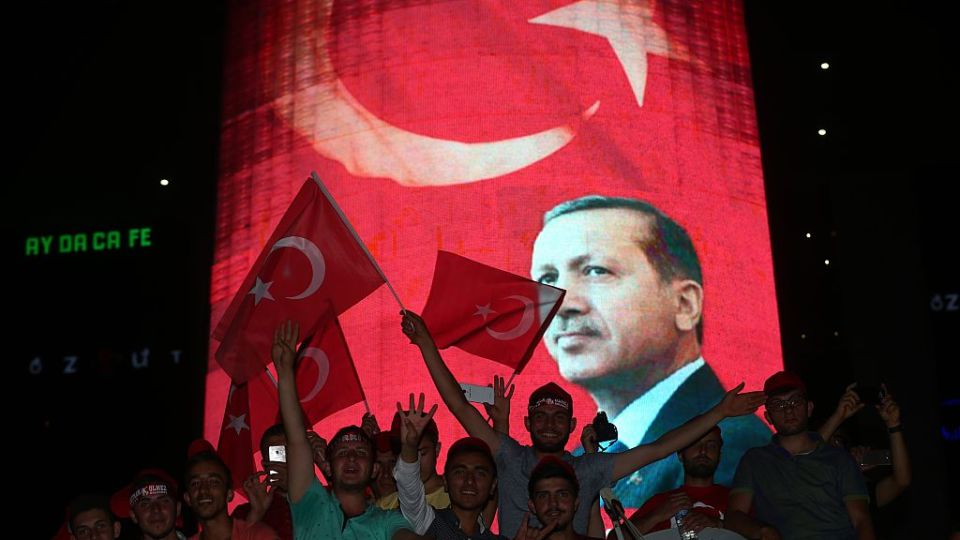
<point>324,261</point>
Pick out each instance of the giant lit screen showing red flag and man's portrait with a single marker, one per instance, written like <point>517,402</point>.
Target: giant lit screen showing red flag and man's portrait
<point>457,125</point>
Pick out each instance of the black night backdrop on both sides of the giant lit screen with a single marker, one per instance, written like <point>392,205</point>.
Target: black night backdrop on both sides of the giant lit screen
<point>105,98</point>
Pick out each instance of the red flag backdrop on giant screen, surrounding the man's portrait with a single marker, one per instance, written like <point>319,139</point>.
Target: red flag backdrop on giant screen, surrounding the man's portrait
<point>510,107</point>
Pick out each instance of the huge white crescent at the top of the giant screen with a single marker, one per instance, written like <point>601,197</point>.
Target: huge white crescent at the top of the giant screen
<point>342,129</point>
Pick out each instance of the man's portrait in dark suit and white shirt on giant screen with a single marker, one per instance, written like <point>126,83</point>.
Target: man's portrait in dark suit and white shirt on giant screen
<point>630,329</point>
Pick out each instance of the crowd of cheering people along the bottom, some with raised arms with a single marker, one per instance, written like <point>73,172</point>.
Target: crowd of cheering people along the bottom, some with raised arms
<point>364,483</point>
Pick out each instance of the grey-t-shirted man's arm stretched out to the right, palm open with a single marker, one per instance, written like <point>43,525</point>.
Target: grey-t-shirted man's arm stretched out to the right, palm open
<point>733,404</point>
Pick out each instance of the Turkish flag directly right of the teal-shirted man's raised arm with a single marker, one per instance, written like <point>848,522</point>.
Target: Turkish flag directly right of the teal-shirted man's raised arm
<point>327,379</point>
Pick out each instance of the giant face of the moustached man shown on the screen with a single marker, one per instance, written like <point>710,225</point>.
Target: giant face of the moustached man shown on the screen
<point>616,315</point>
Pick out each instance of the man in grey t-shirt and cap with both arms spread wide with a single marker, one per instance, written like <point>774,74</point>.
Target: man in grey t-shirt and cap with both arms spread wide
<point>550,422</point>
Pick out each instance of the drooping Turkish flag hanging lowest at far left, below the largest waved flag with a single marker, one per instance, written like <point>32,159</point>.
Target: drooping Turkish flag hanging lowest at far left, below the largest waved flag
<point>236,444</point>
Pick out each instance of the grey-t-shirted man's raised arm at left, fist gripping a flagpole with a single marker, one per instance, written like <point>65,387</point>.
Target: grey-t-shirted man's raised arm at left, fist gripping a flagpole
<point>450,391</point>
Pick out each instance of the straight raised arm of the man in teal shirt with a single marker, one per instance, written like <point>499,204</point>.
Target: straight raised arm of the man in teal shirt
<point>299,452</point>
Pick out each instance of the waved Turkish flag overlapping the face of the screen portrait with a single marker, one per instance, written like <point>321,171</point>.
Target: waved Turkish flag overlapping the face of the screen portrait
<point>488,312</point>
